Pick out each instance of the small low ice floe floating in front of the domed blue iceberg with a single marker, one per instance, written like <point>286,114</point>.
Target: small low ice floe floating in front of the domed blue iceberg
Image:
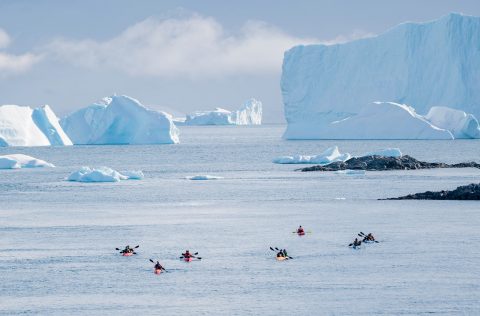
<point>103,174</point>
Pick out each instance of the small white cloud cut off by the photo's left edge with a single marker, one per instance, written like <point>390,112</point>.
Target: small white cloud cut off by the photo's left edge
<point>10,63</point>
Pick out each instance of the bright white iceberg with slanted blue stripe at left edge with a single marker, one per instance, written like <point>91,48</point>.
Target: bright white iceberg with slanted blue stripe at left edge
<point>24,126</point>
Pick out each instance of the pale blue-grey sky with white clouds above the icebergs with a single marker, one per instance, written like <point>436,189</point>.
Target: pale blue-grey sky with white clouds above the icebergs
<point>178,56</point>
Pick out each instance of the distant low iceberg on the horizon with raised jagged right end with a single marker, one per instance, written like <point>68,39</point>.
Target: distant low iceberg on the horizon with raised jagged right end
<point>249,114</point>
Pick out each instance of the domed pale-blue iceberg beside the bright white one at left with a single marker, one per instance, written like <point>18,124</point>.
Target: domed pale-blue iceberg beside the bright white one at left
<point>120,120</point>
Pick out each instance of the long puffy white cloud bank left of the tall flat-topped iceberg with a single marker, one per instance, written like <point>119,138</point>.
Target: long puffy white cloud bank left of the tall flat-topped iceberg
<point>195,46</point>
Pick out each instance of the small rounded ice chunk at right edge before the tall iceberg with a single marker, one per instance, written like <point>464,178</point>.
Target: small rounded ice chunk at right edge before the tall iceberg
<point>461,124</point>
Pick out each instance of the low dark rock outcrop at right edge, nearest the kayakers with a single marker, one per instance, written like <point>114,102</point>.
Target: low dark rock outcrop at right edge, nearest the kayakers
<point>466,192</point>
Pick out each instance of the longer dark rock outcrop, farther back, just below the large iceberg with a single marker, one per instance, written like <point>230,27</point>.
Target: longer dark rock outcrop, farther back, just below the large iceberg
<point>382,163</point>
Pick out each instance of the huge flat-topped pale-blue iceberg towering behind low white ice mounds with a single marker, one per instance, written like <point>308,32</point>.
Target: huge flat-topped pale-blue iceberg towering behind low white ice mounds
<point>419,64</point>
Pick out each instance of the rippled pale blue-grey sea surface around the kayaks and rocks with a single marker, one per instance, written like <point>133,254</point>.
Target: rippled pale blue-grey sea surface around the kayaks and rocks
<point>58,238</point>
